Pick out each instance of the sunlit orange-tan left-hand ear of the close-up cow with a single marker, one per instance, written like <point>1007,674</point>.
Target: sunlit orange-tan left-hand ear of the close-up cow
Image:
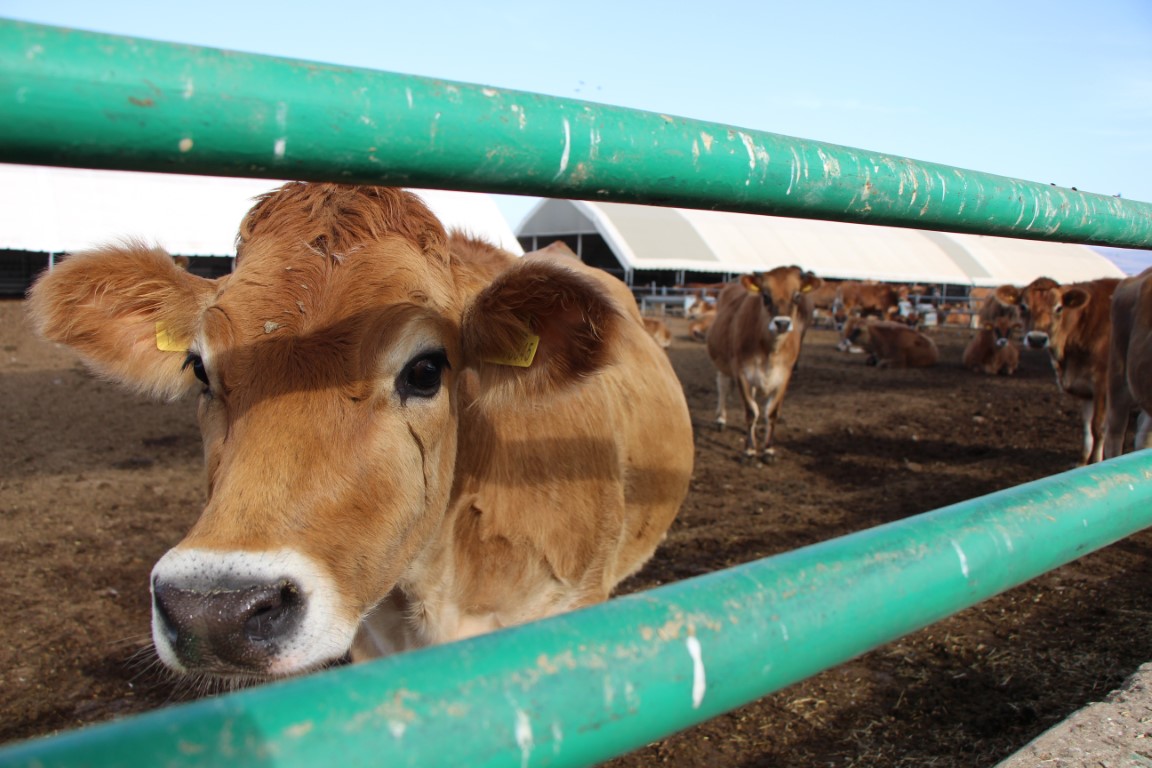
<point>128,311</point>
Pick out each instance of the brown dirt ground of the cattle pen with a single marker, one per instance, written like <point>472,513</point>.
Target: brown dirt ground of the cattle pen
<point>95,485</point>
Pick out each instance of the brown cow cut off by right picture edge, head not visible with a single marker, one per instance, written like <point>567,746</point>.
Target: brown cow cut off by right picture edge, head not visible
<point>1130,364</point>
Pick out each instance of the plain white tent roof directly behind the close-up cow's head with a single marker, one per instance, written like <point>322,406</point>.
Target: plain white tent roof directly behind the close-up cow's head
<point>63,210</point>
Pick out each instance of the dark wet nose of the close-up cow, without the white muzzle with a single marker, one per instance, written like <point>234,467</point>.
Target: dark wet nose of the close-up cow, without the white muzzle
<point>240,627</point>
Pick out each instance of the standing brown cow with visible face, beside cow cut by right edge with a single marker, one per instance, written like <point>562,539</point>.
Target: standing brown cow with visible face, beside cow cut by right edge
<point>1074,323</point>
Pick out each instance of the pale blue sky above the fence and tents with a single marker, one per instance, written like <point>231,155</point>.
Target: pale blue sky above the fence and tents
<point>1044,90</point>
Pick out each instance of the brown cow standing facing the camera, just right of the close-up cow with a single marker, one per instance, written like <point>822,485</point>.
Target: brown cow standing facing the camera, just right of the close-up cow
<point>755,344</point>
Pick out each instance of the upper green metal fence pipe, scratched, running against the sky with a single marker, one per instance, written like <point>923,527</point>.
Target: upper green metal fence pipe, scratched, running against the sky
<point>72,98</point>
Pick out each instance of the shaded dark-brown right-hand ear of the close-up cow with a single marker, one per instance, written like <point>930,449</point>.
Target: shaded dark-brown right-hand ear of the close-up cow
<point>539,328</point>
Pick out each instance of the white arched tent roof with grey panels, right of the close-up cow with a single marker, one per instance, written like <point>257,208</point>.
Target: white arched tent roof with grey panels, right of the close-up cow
<point>647,238</point>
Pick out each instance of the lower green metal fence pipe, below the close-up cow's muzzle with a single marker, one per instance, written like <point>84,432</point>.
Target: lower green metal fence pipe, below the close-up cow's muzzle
<point>581,688</point>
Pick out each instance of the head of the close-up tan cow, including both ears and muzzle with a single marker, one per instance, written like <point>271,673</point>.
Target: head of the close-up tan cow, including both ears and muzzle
<point>331,369</point>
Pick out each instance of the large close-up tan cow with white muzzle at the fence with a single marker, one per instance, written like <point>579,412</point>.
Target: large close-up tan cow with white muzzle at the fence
<point>411,437</point>
